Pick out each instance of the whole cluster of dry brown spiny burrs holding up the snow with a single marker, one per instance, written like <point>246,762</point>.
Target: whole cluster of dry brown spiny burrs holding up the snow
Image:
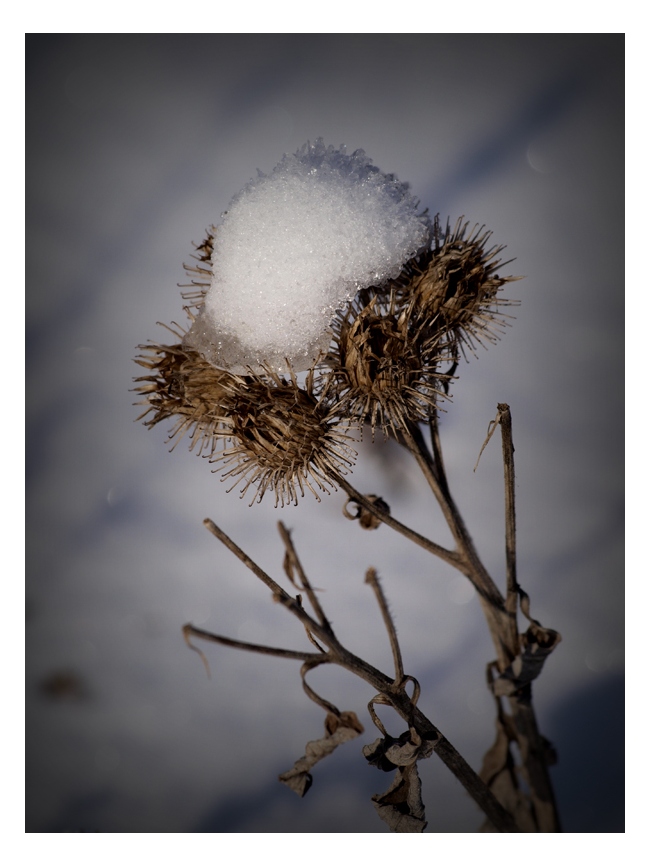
<point>382,368</point>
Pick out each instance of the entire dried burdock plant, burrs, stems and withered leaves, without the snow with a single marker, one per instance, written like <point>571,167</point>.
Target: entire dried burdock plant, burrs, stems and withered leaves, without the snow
<point>388,366</point>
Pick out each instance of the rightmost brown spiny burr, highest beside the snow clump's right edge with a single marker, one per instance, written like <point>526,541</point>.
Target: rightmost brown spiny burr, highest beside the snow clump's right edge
<point>453,288</point>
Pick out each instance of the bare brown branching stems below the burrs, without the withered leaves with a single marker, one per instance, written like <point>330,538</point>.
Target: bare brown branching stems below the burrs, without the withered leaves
<point>500,615</point>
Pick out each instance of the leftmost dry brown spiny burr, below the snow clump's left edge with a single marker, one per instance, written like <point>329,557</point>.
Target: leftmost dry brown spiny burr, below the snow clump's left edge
<point>182,384</point>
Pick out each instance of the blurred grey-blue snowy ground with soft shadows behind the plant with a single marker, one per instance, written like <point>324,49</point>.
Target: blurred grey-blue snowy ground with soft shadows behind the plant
<point>135,145</point>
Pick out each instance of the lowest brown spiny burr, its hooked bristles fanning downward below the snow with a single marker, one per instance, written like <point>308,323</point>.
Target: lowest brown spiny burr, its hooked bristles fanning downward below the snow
<point>283,439</point>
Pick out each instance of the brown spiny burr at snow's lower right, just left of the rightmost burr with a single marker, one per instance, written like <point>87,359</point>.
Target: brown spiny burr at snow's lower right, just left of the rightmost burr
<point>382,370</point>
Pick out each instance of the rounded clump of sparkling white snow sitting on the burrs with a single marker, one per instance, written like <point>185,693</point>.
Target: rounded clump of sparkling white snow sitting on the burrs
<point>294,246</point>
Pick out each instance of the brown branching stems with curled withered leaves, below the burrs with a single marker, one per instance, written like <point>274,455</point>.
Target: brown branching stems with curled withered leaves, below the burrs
<point>498,790</point>
